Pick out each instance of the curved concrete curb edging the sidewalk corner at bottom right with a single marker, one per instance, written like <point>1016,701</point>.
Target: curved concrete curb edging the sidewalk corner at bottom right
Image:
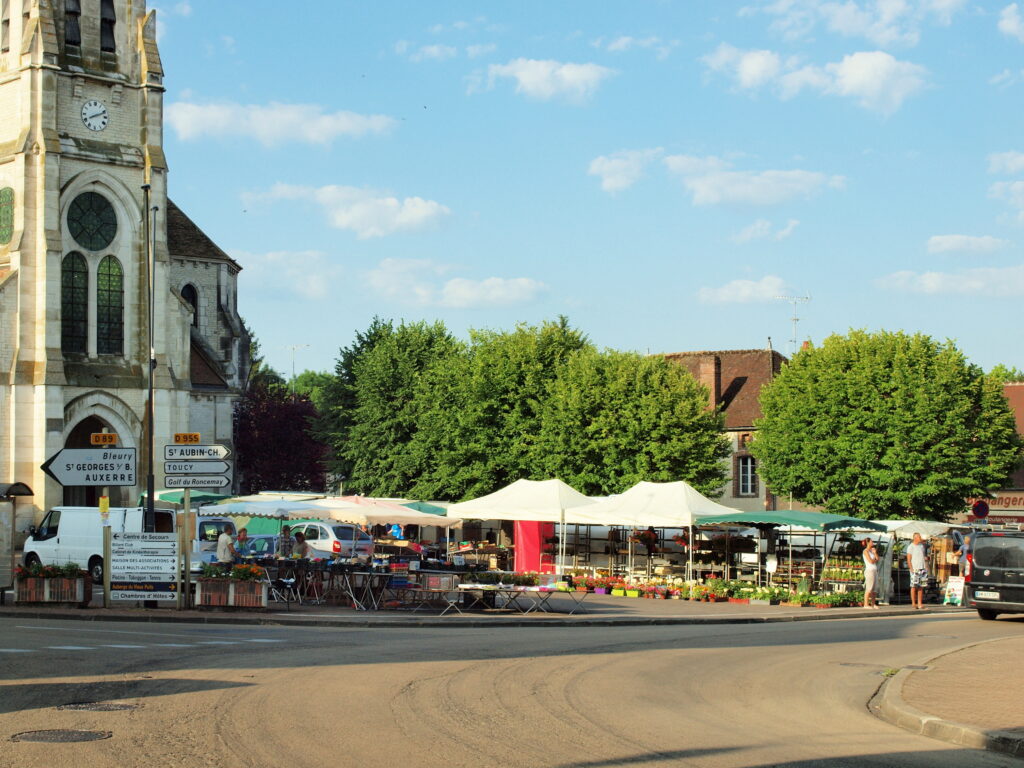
<point>889,705</point>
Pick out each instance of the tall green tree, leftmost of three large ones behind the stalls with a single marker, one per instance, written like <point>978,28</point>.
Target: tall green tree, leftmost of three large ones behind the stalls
<point>388,414</point>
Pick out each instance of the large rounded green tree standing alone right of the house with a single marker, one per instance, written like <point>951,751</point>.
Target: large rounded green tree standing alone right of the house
<point>885,425</point>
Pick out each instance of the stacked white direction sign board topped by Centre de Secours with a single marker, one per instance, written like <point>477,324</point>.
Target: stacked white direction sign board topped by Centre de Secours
<point>144,567</point>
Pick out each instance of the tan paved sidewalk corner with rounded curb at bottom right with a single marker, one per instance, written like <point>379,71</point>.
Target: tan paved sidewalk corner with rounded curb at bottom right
<point>973,698</point>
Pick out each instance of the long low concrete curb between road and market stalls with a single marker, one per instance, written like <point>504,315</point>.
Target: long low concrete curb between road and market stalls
<point>439,622</point>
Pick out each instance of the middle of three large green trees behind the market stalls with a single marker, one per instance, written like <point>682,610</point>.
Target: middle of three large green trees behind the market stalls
<point>481,410</point>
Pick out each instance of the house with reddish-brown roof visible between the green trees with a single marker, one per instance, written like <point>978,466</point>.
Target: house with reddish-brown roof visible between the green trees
<point>735,378</point>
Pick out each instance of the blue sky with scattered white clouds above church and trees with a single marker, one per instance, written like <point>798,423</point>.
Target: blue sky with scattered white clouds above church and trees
<point>659,172</point>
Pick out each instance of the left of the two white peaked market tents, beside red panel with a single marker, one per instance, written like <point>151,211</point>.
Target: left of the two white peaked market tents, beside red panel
<point>538,501</point>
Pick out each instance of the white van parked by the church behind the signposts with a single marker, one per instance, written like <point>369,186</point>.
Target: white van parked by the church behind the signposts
<point>76,535</point>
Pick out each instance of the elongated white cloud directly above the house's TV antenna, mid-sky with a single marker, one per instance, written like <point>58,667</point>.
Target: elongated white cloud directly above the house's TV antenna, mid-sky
<point>710,183</point>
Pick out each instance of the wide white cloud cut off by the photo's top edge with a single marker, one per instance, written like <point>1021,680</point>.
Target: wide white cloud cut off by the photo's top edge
<point>885,23</point>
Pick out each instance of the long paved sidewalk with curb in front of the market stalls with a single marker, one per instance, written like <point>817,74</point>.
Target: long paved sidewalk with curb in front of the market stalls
<point>602,611</point>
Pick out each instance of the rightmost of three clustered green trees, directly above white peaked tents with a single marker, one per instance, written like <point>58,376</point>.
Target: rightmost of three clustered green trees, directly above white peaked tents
<point>613,419</point>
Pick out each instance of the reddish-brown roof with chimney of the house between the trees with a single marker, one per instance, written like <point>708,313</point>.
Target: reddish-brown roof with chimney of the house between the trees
<point>744,373</point>
